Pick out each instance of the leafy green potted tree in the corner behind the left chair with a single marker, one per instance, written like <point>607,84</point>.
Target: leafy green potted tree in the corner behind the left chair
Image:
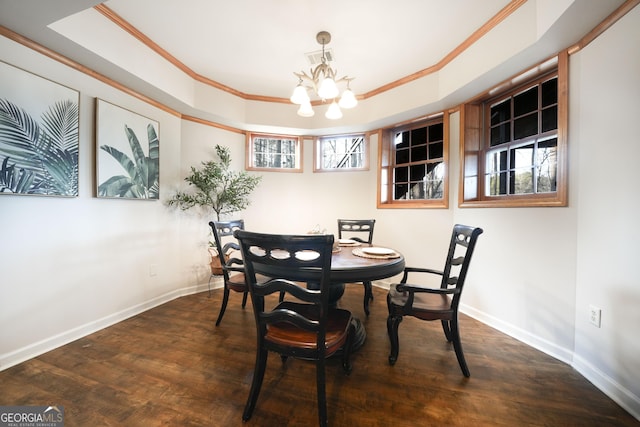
<point>219,188</point>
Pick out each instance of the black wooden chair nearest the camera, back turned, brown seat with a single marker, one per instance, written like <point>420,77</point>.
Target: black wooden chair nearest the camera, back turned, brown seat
<point>305,326</point>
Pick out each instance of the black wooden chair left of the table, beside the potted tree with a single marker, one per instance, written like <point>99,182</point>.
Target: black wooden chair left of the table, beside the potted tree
<point>232,267</point>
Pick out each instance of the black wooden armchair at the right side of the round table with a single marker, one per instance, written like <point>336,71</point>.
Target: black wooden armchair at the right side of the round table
<point>441,303</point>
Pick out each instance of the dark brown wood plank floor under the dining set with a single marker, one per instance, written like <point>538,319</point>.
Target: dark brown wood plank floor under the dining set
<point>171,366</point>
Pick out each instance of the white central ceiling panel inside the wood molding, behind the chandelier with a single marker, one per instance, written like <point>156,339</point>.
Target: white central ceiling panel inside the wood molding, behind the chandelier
<point>254,46</point>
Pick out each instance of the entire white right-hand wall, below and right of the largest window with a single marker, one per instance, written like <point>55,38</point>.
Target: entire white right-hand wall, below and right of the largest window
<point>556,262</point>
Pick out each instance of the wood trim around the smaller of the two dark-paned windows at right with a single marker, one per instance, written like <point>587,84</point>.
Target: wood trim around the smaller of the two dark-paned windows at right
<point>384,199</point>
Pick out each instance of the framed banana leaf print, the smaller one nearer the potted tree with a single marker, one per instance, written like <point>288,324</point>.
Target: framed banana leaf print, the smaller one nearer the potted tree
<point>128,153</point>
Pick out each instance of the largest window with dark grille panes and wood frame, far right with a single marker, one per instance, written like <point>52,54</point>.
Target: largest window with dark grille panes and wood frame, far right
<point>513,143</point>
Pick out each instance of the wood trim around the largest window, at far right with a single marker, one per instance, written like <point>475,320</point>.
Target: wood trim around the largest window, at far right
<point>472,152</point>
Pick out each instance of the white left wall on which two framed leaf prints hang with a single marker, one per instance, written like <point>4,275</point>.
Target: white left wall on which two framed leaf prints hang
<point>73,265</point>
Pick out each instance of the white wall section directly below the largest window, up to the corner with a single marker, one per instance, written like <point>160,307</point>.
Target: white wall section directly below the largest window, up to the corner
<point>523,274</point>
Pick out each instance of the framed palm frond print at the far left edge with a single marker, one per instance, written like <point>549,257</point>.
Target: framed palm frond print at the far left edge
<point>39,140</point>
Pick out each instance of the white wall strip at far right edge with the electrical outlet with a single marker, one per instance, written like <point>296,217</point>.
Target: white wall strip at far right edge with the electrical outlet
<point>605,87</point>
